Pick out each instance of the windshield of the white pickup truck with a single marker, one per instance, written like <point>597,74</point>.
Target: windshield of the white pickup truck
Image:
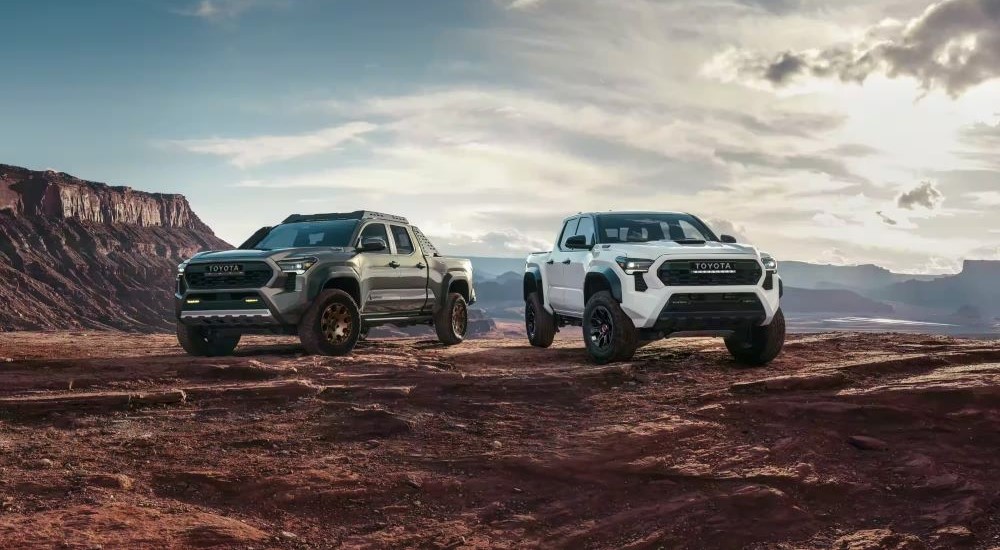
<point>646,227</point>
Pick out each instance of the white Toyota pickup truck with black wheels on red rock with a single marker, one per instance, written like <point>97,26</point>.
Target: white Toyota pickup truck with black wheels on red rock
<point>632,277</point>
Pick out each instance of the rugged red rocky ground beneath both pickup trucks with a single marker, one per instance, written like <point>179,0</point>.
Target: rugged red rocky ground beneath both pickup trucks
<point>850,441</point>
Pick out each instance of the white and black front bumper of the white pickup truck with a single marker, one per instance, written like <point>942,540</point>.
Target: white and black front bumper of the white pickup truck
<point>648,302</point>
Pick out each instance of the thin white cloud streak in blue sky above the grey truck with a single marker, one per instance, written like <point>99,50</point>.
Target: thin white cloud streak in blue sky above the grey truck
<point>255,151</point>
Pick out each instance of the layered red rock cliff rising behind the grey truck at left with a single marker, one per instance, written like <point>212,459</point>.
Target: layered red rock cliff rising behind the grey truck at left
<point>80,254</point>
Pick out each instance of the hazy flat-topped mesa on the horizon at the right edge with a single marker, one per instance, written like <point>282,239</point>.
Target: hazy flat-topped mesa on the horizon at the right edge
<point>978,286</point>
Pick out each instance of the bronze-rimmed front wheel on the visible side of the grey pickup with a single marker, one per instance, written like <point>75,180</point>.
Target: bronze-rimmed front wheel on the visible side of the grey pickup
<point>332,325</point>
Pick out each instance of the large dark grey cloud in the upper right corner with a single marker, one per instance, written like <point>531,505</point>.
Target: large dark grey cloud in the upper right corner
<point>953,45</point>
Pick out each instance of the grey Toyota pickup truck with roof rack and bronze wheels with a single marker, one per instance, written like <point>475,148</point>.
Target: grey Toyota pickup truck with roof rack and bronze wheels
<point>327,278</point>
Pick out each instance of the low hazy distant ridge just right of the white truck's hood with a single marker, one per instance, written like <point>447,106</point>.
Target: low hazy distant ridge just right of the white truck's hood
<point>853,277</point>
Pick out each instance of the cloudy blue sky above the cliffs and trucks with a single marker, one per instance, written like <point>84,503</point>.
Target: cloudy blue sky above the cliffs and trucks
<point>833,131</point>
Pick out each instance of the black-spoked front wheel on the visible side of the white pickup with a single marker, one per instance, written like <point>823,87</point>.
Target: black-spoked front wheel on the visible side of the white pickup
<point>607,331</point>
